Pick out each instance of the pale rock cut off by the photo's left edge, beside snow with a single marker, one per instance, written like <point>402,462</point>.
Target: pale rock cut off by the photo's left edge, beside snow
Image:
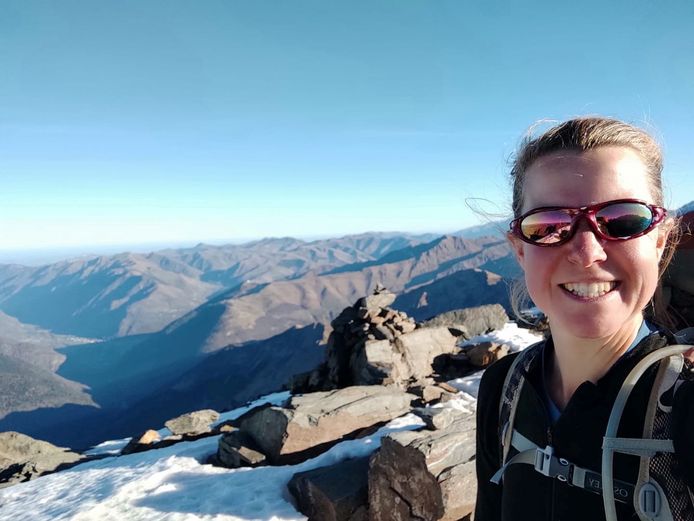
<point>23,458</point>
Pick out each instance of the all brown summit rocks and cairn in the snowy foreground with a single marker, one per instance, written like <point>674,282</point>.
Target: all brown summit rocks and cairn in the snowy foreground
<point>380,365</point>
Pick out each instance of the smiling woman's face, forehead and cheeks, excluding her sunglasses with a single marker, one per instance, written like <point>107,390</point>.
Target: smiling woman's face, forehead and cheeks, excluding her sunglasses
<point>564,280</point>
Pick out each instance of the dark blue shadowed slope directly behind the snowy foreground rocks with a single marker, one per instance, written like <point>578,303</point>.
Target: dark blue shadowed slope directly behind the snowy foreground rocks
<point>222,380</point>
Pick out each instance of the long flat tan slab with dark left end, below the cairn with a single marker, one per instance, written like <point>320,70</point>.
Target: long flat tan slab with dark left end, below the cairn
<point>311,423</point>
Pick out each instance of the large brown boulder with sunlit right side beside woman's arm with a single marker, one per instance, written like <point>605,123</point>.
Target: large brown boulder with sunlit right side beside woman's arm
<point>425,474</point>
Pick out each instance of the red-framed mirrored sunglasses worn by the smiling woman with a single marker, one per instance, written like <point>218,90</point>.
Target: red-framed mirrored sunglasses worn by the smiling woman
<point>618,220</point>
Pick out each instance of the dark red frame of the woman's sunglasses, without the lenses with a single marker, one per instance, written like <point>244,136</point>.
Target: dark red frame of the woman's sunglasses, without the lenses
<point>658,214</point>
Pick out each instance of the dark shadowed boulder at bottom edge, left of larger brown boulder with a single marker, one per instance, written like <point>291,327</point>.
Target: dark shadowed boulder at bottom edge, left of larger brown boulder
<point>334,493</point>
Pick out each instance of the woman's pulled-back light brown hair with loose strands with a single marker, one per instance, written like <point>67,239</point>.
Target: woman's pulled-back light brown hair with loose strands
<point>588,133</point>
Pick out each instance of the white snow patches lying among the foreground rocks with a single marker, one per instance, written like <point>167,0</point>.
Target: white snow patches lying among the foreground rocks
<point>174,484</point>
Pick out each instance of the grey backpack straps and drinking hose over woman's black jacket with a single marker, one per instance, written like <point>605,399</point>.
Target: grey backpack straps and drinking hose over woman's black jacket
<point>658,494</point>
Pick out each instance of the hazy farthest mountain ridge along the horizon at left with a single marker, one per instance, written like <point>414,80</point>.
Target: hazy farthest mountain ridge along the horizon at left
<point>127,294</point>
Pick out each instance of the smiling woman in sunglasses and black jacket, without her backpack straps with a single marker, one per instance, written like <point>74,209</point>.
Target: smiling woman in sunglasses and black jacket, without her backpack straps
<point>592,237</point>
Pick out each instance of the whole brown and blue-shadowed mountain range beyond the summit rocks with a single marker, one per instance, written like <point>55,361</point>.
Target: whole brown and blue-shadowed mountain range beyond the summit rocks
<point>161,333</point>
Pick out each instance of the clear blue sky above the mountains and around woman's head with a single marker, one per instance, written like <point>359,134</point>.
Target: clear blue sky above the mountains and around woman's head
<point>126,122</point>
